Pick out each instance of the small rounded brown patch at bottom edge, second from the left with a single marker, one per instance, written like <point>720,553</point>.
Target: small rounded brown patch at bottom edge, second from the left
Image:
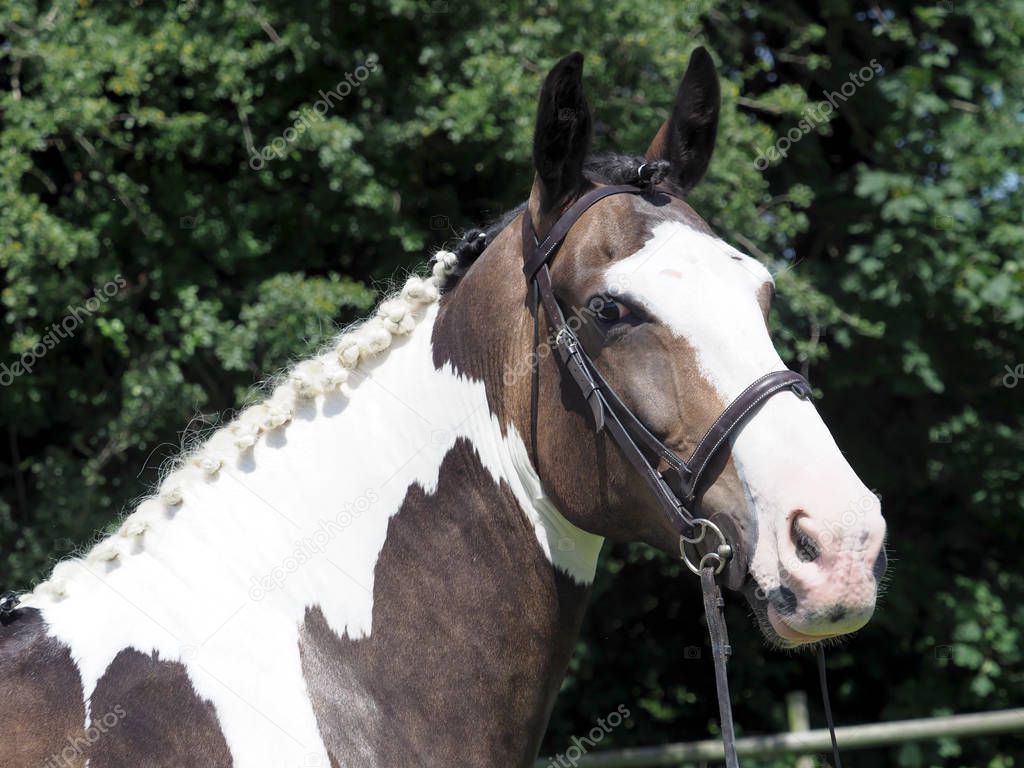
<point>146,713</point>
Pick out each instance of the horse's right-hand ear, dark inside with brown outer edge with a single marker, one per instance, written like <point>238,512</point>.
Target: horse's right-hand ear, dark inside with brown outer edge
<point>688,139</point>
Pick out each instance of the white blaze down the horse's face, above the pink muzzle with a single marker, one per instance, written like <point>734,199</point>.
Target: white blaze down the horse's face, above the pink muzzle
<point>706,291</point>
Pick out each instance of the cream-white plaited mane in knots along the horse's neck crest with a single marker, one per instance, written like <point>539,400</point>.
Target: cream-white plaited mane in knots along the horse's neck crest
<point>326,373</point>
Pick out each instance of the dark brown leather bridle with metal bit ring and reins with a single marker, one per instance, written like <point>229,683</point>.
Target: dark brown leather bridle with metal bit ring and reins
<point>679,487</point>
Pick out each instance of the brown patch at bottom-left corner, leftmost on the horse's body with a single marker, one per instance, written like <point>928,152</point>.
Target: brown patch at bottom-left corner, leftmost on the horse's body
<point>41,699</point>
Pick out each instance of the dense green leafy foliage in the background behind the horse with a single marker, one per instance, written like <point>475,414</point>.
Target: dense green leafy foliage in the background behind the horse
<point>126,156</point>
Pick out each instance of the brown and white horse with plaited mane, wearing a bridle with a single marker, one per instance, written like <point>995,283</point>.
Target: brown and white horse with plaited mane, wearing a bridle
<point>387,562</point>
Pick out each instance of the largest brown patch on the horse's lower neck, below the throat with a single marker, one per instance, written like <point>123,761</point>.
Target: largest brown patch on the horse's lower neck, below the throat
<point>473,630</point>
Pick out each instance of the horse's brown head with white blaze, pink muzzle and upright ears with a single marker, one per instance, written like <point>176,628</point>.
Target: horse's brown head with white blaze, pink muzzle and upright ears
<point>676,320</point>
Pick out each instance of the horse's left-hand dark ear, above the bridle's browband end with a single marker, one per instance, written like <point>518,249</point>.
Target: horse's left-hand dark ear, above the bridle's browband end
<point>563,134</point>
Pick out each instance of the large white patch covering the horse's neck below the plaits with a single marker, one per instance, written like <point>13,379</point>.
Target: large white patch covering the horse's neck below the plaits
<point>298,521</point>
